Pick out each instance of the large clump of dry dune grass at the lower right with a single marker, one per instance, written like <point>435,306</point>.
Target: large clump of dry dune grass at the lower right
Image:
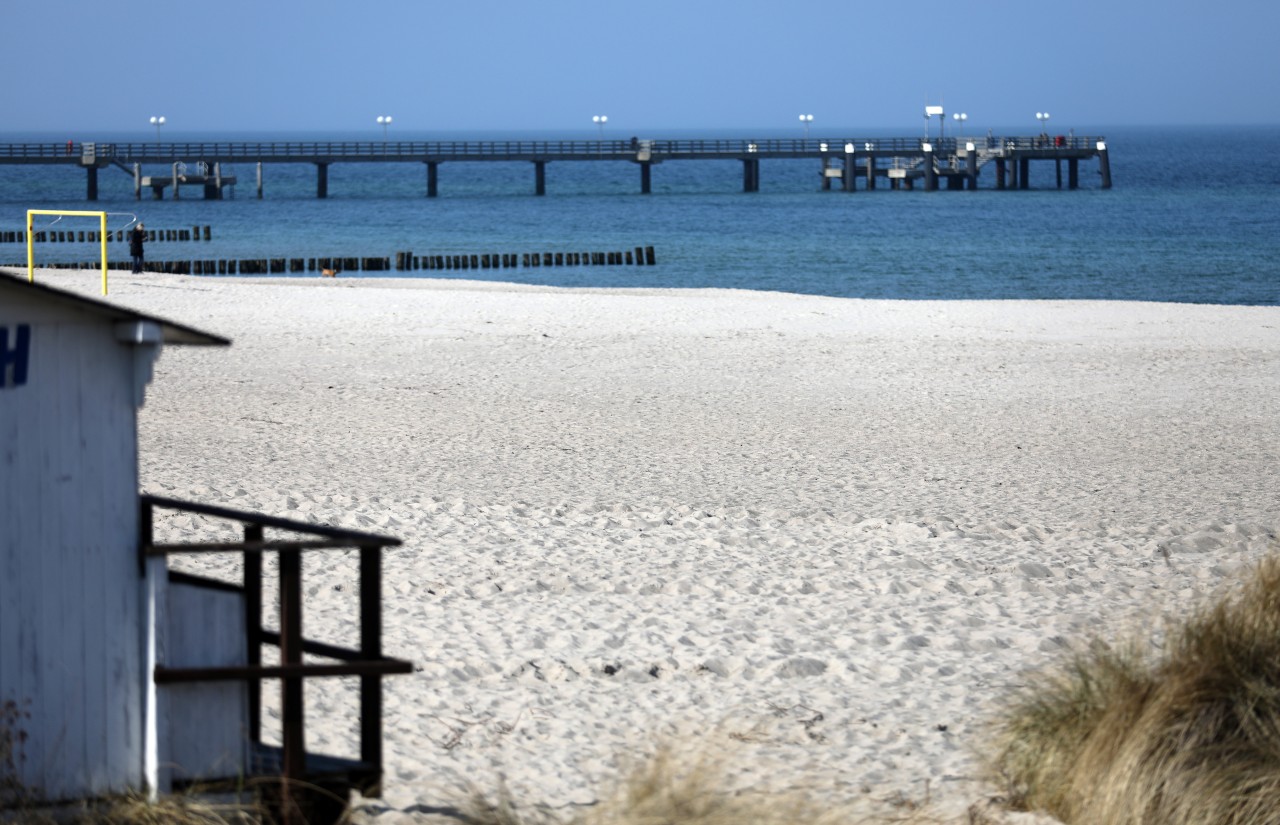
<point>1119,737</point>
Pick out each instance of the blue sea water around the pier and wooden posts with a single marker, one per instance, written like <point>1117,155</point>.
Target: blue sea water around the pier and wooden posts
<point>1194,216</point>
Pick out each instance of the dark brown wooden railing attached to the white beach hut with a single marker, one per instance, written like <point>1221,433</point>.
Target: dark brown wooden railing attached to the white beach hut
<point>367,662</point>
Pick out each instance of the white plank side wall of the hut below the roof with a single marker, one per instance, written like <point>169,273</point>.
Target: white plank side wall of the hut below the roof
<point>71,626</point>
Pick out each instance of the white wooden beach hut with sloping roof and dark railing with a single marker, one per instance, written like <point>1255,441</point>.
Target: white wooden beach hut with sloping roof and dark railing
<point>116,673</point>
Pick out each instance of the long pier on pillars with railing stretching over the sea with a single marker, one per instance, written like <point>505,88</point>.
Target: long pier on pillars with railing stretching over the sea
<point>877,162</point>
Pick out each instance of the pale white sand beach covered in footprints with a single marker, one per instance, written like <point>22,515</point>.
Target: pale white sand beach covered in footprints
<point>825,537</point>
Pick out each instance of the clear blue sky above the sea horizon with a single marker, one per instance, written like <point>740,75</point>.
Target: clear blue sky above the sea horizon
<point>651,67</point>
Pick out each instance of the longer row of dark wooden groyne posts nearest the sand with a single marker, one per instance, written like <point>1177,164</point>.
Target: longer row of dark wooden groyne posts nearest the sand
<point>401,263</point>
